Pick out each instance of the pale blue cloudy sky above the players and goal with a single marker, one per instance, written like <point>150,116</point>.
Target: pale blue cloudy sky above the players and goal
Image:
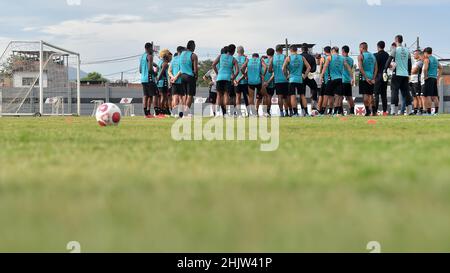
<point>105,29</point>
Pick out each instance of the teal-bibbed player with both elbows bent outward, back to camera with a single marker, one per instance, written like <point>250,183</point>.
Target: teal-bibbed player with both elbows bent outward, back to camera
<point>292,69</point>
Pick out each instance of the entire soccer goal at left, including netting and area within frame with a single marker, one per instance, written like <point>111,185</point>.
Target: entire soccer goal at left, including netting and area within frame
<point>38,78</point>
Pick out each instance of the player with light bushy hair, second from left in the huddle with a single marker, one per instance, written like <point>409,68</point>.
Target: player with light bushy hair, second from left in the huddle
<point>162,82</point>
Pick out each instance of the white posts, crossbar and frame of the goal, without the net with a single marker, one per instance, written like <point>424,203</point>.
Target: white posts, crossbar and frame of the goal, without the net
<point>42,62</point>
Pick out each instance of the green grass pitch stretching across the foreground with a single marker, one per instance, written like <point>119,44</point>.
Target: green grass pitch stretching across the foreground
<point>333,185</point>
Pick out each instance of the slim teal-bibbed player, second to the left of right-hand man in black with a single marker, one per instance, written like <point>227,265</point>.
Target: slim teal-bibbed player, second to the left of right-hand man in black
<point>348,79</point>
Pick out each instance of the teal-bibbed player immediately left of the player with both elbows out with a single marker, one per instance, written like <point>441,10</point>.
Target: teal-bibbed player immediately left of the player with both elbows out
<point>281,83</point>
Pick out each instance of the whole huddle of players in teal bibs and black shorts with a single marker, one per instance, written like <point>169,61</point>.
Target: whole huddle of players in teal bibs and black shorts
<point>256,79</point>
